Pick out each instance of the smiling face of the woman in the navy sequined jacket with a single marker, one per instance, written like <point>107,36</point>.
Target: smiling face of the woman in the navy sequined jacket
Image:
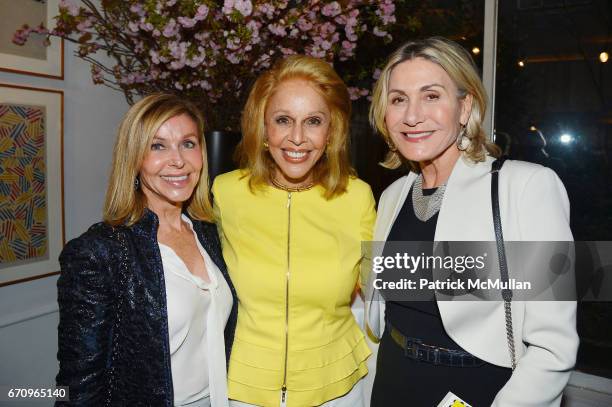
<point>171,167</point>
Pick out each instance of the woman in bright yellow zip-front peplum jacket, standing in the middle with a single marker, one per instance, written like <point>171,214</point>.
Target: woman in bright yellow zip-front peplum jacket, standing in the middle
<point>291,222</point>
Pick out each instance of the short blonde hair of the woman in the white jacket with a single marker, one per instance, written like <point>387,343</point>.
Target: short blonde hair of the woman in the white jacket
<point>460,67</point>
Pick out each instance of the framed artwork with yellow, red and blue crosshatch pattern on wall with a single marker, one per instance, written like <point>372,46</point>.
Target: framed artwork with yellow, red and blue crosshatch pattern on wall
<point>31,182</point>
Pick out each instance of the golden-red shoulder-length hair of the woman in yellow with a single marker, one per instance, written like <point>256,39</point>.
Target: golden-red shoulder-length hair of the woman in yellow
<point>333,168</point>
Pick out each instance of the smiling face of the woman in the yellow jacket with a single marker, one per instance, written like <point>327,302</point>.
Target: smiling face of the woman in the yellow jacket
<point>297,121</point>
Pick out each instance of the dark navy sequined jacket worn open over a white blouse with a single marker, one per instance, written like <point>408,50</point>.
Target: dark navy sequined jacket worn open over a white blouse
<point>113,332</point>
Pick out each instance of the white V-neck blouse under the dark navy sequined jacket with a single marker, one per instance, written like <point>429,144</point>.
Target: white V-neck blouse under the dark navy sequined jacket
<point>197,314</point>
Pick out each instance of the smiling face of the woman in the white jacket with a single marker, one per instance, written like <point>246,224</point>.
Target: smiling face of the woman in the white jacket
<point>424,111</point>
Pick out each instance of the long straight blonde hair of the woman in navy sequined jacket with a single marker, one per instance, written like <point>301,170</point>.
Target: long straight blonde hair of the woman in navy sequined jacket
<point>125,204</point>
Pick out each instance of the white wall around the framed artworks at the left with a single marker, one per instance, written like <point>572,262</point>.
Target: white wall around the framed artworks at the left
<point>28,311</point>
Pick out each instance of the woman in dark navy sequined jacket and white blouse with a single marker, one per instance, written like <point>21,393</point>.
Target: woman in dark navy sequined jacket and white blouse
<point>147,310</point>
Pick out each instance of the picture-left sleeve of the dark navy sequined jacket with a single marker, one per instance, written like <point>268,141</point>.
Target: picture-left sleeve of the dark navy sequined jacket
<point>84,331</point>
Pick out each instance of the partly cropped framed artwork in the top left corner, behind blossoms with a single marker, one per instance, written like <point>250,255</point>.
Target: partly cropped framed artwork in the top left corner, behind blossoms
<point>33,58</point>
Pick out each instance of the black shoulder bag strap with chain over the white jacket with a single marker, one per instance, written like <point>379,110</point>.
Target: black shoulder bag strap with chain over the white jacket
<point>501,253</point>
